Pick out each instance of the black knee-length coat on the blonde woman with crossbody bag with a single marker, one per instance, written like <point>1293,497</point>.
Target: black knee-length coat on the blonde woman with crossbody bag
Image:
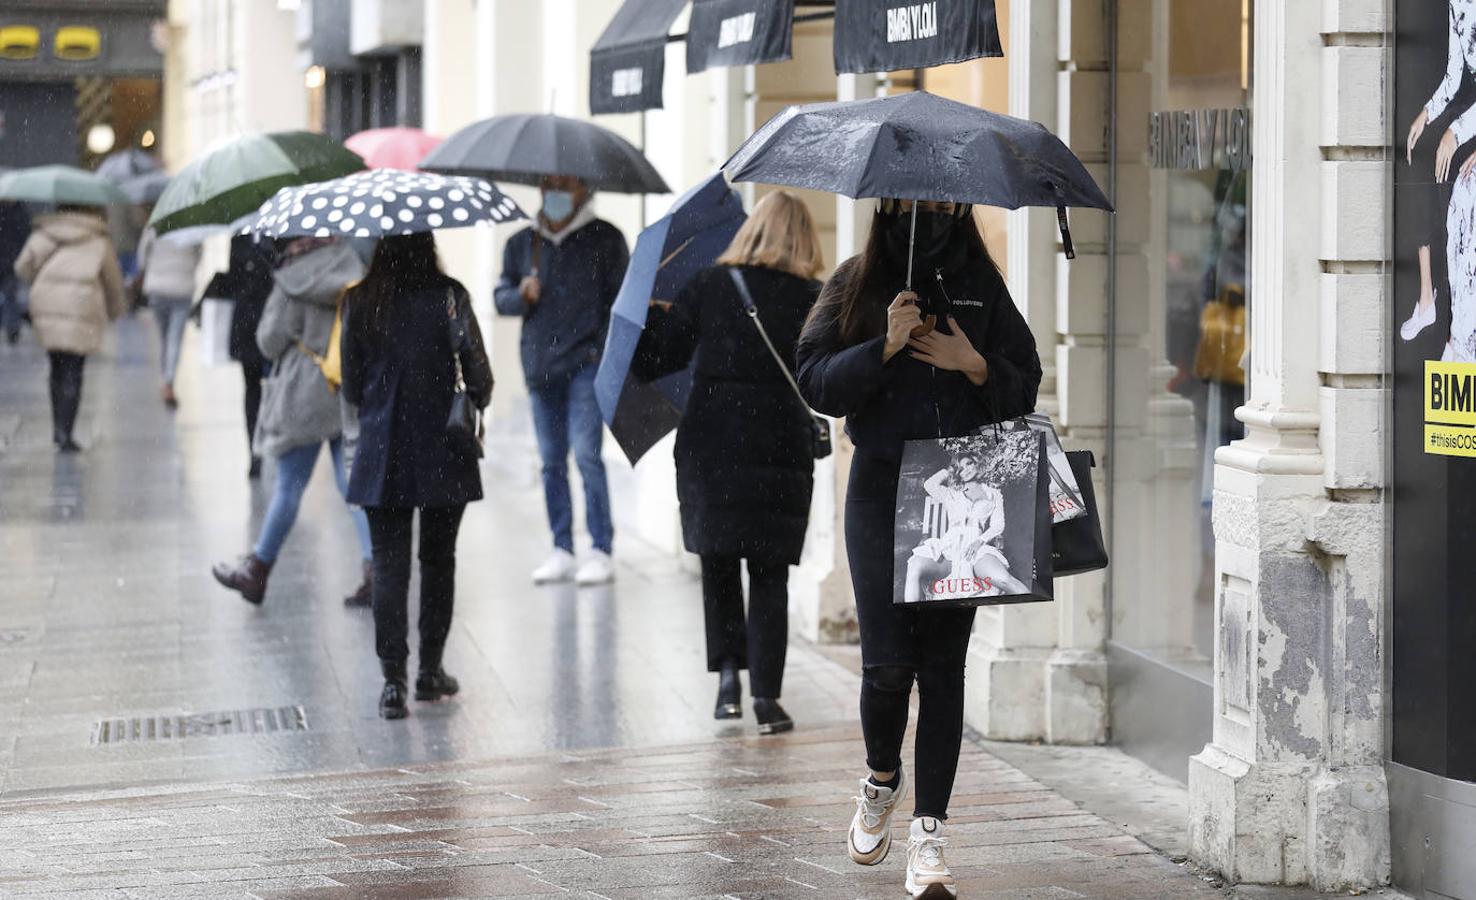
<point>745,461</point>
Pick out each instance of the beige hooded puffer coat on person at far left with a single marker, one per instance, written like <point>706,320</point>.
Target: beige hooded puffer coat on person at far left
<point>76,283</point>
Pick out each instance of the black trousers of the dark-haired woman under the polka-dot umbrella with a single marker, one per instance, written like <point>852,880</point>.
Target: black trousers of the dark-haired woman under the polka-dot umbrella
<point>390,532</point>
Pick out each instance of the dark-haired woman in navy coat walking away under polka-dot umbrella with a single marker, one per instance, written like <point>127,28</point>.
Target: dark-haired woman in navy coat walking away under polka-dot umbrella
<point>411,342</point>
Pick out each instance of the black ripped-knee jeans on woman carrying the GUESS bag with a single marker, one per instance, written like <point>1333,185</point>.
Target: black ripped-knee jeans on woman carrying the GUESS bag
<point>901,645</point>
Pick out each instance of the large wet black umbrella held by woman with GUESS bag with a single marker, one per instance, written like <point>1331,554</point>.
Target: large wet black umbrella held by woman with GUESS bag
<point>923,148</point>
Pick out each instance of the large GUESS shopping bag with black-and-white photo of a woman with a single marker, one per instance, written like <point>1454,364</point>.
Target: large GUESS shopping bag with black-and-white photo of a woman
<point>973,522</point>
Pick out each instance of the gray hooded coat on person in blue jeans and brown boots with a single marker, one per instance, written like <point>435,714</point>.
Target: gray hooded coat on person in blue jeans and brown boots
<point>297,405</point>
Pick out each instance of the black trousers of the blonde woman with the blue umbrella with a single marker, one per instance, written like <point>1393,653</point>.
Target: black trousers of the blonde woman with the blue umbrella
<point>758,641</point>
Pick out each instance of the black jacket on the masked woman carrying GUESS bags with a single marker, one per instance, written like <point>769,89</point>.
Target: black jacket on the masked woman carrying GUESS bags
<point>891,404</point>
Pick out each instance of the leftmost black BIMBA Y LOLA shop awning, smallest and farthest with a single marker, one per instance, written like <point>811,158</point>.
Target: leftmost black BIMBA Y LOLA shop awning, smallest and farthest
<point>628,63</point>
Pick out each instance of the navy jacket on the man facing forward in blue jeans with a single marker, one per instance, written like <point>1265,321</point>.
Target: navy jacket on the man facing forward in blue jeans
<point>581,280</point>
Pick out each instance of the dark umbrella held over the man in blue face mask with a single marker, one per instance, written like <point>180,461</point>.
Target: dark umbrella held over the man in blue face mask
<point>526,148</point>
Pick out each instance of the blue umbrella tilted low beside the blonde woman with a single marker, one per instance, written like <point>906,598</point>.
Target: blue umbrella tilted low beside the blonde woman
<point>690,238</point>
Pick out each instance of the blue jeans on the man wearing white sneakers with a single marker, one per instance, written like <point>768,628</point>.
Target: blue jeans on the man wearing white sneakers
<point>565,415</point>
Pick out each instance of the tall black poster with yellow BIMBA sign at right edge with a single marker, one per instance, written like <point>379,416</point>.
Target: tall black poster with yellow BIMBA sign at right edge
<point>1432,339</point>
